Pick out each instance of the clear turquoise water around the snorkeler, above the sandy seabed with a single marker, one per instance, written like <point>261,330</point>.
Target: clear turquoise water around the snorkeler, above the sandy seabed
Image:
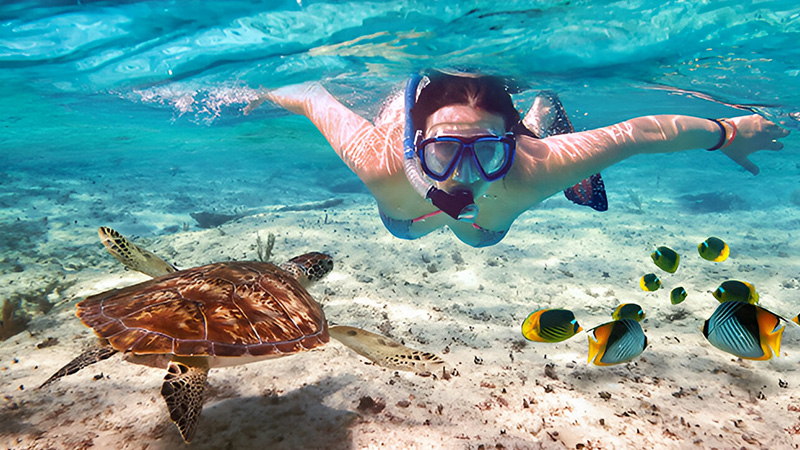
<point>142,100</point>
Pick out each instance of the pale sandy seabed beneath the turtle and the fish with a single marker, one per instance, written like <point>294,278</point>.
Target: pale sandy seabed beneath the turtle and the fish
<point>464,304</point>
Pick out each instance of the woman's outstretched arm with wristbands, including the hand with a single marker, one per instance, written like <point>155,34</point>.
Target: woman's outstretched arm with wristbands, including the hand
<point>557,162</point>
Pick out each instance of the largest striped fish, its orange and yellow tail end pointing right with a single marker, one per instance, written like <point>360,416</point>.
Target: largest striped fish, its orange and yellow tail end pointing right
<point>745,330</point>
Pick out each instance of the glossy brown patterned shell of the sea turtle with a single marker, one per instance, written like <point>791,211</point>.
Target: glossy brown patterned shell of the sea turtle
<point>229,309</point>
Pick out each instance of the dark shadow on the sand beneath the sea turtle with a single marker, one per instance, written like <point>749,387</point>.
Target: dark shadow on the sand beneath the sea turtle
<point>296,419</point>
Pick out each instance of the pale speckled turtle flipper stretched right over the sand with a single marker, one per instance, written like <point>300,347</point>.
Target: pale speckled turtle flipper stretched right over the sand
<point>384,351</point>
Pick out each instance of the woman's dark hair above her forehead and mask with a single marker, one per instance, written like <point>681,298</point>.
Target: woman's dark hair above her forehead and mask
<point>484,92</point>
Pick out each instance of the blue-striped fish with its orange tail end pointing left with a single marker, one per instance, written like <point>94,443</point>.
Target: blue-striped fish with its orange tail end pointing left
<point>616,342</point>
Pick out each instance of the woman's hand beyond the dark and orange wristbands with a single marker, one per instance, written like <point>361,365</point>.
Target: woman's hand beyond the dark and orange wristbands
<point>753,133</point>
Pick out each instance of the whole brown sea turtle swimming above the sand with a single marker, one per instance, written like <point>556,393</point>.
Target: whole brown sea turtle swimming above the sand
<point>218,315</point>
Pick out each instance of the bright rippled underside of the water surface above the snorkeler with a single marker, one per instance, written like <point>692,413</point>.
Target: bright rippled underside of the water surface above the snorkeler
<point>198,61</point>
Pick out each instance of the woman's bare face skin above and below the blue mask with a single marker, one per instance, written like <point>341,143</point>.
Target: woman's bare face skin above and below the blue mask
<point>464,121</point>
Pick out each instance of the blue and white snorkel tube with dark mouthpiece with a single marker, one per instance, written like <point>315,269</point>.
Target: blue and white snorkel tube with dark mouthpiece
<point>460,205</point>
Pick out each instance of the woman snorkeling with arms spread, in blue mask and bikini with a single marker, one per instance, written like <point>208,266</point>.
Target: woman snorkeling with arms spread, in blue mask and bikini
<point>455,152</point>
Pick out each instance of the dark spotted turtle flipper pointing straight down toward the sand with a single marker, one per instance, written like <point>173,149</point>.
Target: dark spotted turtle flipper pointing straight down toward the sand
<point>183,390</point>
